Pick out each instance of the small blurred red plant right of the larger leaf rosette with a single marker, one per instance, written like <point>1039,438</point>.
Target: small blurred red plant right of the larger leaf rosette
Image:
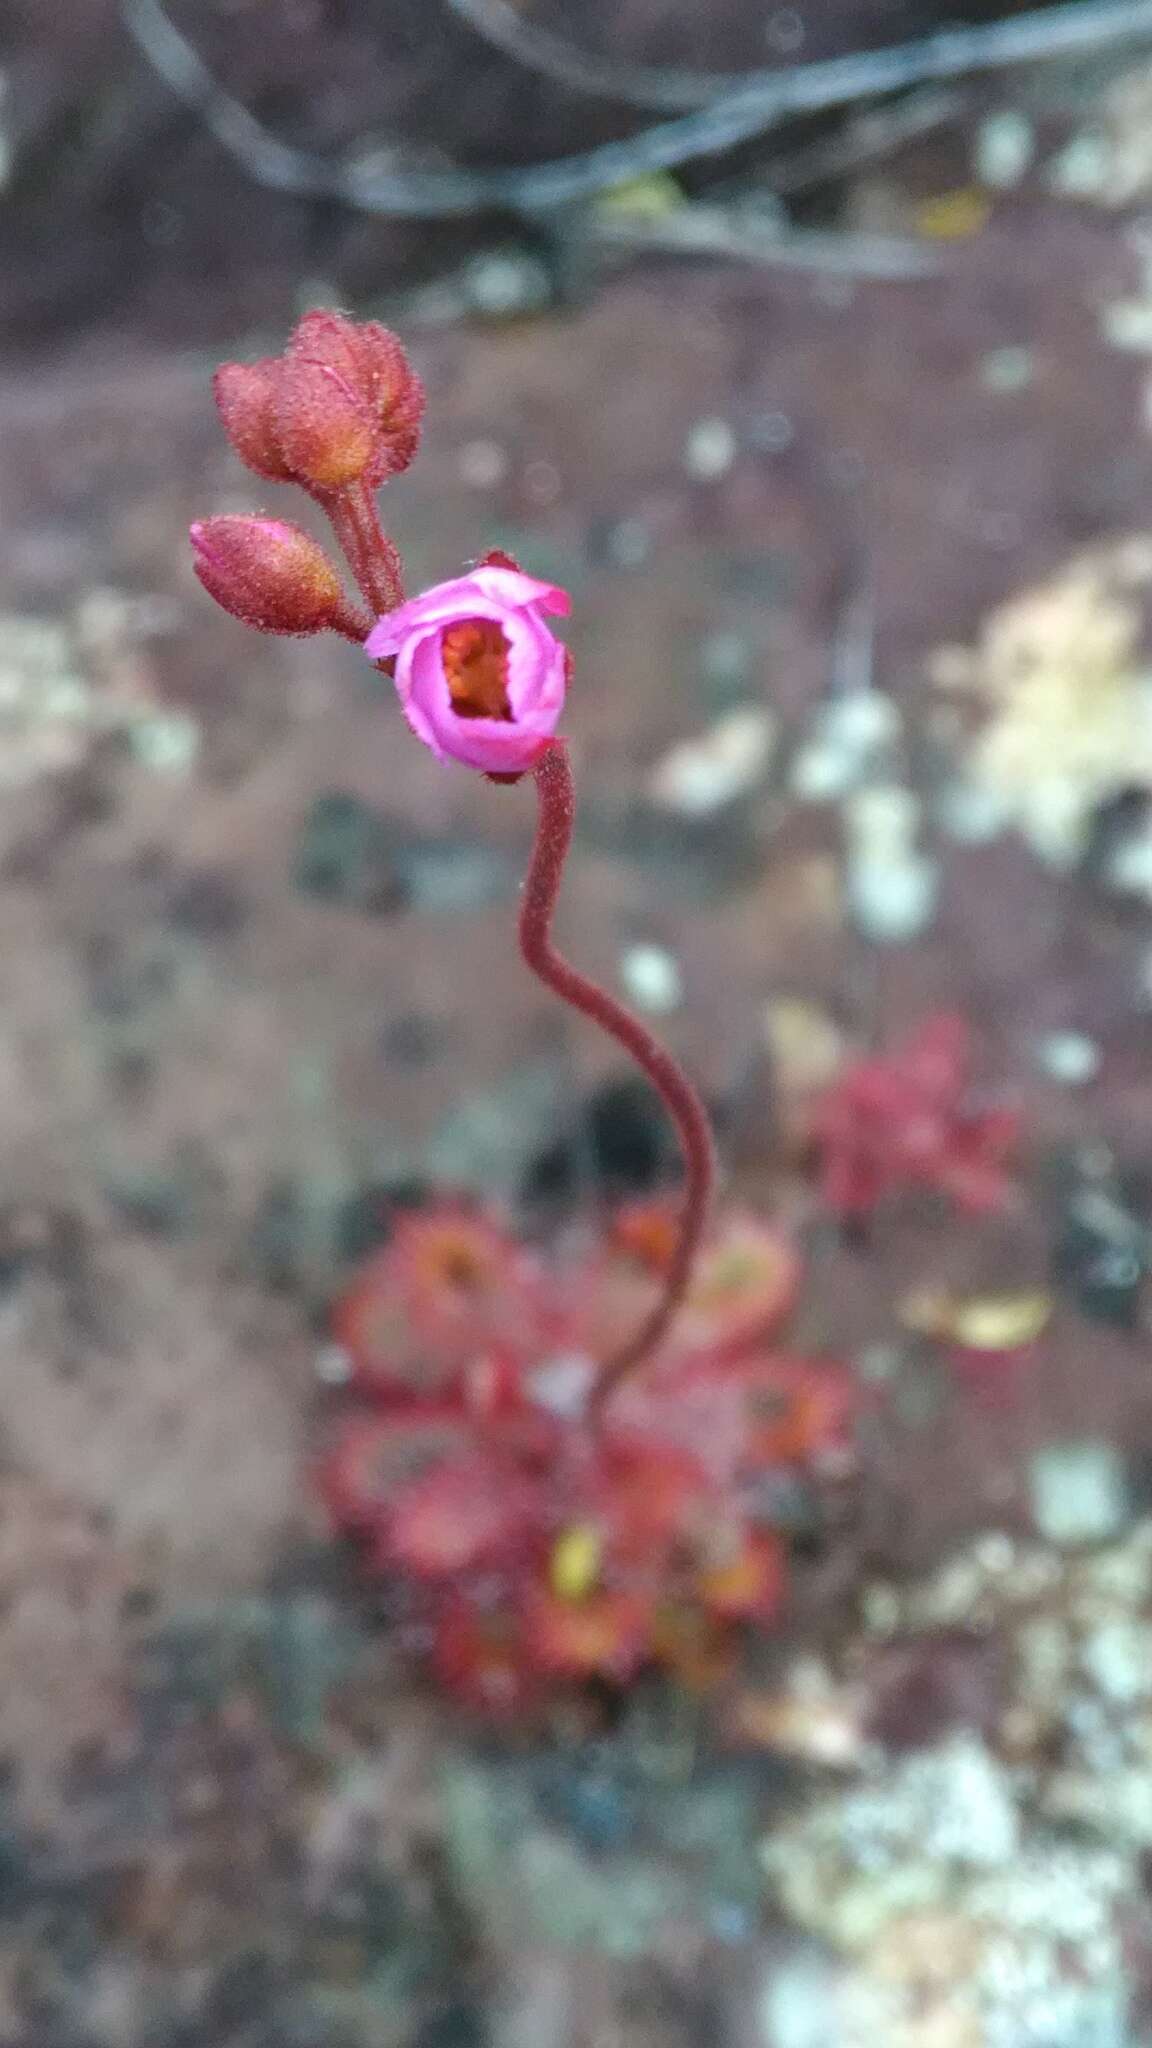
<point>905,1121</point>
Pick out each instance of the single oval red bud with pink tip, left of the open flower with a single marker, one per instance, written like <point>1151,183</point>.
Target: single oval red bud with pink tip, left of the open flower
<point>270,574</point>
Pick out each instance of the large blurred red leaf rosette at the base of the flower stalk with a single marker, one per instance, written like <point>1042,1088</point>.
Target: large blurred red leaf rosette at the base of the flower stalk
<point>544,1551</point>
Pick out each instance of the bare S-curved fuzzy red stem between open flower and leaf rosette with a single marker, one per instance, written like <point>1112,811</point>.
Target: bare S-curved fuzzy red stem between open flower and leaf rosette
<point>554,837</point>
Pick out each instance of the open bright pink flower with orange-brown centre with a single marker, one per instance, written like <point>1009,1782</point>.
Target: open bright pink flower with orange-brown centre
<point>479,673</point>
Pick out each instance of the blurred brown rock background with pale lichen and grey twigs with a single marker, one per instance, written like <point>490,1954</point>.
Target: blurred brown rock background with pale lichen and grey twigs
<point>809,347</point>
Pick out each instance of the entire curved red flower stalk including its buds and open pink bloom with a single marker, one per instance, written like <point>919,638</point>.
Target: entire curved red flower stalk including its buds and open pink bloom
<point>479,673</point>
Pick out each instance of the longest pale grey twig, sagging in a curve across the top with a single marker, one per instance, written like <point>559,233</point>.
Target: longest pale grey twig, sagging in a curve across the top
<point>446,191</point>
